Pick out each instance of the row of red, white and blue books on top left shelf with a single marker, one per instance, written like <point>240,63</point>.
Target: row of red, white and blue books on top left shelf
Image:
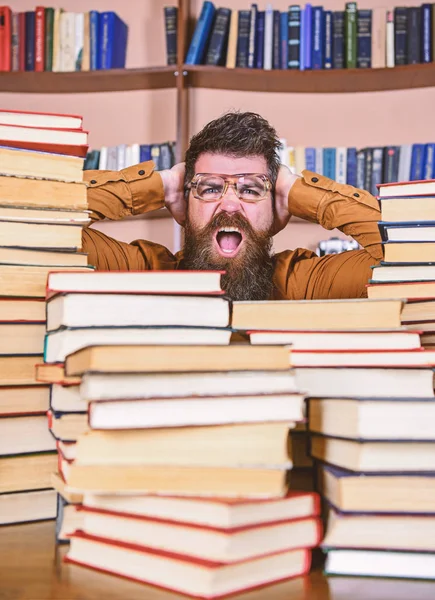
<point>49,39</point>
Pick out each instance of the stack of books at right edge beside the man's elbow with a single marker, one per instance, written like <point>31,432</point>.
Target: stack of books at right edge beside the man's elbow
<point>408,270</point>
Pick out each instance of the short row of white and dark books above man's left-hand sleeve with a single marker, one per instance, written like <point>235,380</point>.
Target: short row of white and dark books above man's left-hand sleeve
<point>115,158</point>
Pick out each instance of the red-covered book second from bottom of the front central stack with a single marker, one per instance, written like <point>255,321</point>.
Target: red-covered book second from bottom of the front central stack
<point>202,542</point>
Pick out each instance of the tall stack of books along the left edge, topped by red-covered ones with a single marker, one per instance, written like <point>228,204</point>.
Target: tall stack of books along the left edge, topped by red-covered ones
<point>42,211</point>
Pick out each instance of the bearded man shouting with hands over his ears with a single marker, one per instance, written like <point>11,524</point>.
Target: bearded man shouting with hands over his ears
<point>232,196</point>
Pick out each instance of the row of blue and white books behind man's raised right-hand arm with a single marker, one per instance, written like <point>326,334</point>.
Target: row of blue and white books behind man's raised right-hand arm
<point>364,168</point>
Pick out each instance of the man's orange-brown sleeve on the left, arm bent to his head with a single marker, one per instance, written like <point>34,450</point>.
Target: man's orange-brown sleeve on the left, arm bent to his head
<point>115,195</point>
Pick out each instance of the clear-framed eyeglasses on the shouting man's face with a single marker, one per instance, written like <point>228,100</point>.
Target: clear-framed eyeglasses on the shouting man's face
<point>249,187</point>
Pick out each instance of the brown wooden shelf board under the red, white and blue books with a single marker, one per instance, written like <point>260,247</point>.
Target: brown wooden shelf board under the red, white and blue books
<point>110,80</point>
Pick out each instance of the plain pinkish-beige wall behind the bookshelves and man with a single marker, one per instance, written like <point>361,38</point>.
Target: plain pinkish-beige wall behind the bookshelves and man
<point>303,119</point>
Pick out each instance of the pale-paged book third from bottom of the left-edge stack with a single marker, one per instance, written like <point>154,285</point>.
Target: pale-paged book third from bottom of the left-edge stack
<point>24,435</point>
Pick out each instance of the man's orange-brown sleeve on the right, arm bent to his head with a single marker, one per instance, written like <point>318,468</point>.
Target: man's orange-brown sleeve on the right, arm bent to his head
<point>301,273</point>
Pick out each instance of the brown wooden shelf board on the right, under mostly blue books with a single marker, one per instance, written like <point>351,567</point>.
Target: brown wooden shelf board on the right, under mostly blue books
<point>321,81</point>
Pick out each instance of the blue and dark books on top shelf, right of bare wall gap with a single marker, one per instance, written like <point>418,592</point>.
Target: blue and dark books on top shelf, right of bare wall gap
<point>306,37</point>
